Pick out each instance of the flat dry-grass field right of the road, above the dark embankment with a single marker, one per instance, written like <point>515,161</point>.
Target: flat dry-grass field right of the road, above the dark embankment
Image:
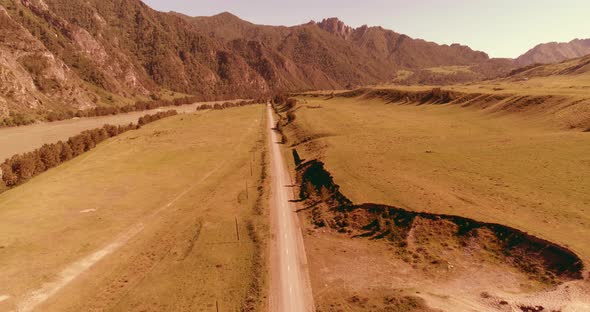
<point>443,159</point>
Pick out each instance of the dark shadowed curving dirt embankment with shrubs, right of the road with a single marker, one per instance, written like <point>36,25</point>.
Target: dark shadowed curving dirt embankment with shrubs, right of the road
<point>420,237</point>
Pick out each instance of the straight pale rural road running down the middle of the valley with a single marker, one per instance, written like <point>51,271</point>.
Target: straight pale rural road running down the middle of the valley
<point>290,285</point>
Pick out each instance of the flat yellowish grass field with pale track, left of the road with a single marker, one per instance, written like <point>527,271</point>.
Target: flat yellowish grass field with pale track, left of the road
<point>156,219</point>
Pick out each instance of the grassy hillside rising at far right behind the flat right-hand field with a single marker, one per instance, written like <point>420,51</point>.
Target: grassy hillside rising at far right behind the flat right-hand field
<point>555,94</point>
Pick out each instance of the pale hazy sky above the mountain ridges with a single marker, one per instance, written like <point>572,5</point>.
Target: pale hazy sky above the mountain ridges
<point>502,28</point>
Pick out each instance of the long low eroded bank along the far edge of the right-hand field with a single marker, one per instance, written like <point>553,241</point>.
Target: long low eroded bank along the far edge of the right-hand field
<point>566,112</point>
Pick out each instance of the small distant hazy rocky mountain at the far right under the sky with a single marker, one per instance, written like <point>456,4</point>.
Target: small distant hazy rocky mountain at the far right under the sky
<point>554,52</point>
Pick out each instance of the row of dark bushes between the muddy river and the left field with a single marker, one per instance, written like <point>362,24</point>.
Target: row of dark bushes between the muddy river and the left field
<point>21,167</point>
